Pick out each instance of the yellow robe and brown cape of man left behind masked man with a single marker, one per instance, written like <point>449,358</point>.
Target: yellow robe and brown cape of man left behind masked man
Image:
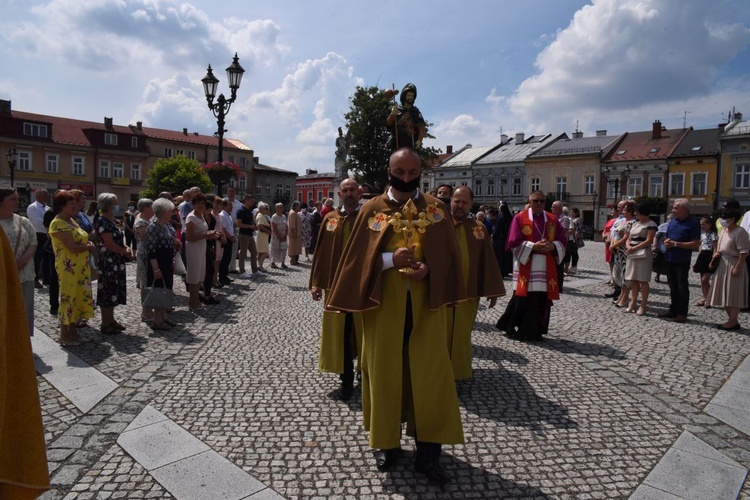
<point>332,238</point>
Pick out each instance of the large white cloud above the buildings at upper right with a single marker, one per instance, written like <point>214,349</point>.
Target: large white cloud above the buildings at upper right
<point>617,56</point>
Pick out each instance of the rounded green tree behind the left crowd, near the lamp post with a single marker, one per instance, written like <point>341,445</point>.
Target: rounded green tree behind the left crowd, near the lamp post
<point>175,175</point>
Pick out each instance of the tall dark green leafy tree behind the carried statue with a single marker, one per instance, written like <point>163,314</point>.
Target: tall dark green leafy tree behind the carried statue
<point>368,150</point>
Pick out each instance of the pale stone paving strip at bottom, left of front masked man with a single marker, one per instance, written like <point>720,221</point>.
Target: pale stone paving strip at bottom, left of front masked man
<point>185,465</point>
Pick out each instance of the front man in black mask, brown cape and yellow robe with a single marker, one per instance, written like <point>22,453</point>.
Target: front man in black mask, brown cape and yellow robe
<point>402,270</point>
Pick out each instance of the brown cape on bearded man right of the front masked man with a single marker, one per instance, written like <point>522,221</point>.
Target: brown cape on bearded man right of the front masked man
<point>485,278</point>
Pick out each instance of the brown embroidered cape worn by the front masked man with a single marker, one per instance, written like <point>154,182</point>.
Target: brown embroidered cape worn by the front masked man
<point>358,282</point>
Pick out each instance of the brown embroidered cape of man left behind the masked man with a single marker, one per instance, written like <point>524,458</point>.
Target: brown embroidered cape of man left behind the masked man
<point>329,249</point>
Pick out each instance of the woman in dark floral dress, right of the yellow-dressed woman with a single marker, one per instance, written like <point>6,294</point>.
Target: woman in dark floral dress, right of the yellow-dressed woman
<point>113,255</point>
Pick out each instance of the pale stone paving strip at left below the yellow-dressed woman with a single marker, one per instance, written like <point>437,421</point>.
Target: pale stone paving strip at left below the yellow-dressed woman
<point>81,383</point>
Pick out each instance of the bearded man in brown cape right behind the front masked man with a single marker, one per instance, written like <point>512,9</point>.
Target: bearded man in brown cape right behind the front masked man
<point>481,274</point>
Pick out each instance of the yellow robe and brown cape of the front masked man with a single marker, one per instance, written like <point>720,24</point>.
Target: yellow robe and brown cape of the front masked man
<point>417,385</point>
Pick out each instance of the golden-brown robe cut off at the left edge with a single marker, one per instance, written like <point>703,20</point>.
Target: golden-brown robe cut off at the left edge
<point>23,458</point>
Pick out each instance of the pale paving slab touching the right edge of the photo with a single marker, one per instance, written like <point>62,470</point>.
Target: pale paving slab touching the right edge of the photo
<point>731,403</point>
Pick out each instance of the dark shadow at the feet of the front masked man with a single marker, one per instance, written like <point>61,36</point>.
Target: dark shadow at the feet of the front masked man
<point>404,481</point>
